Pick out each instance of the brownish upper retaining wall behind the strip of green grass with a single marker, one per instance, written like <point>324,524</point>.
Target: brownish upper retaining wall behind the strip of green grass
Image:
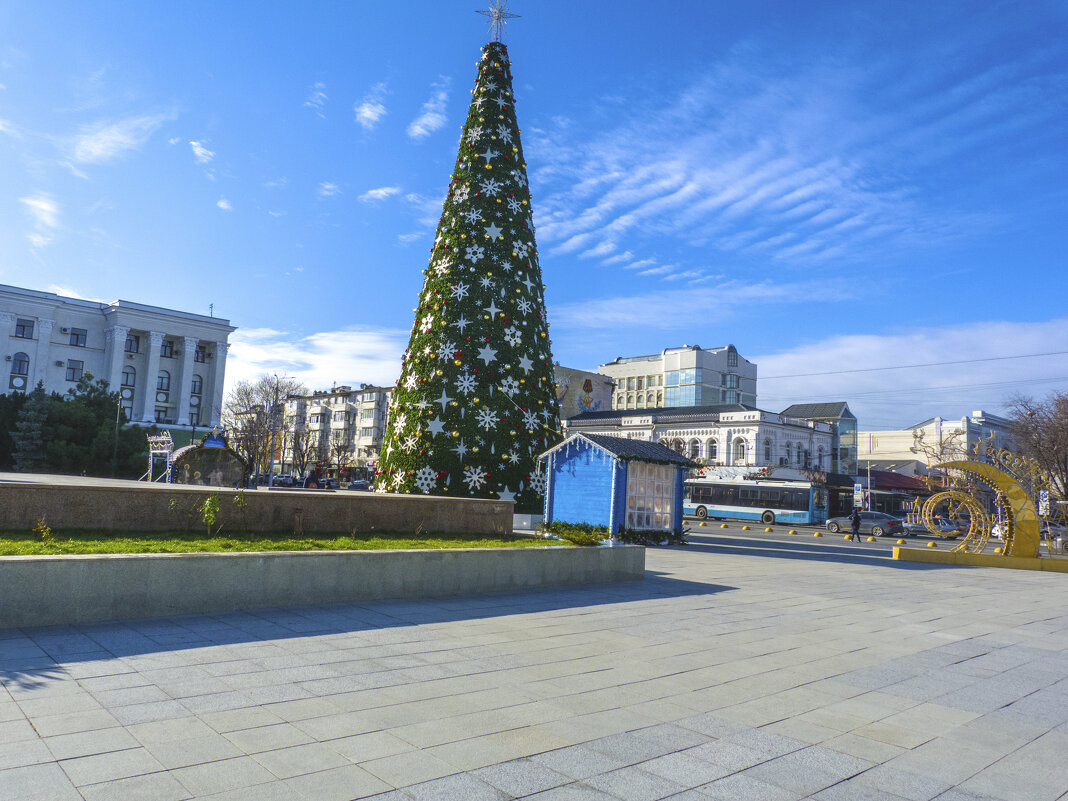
<point>135,507</point>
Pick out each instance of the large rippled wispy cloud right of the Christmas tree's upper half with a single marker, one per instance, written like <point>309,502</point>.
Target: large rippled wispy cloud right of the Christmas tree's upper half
<point>757,159</point>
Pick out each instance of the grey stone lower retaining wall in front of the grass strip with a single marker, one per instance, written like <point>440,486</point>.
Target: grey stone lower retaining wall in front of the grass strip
<point>49,591</point>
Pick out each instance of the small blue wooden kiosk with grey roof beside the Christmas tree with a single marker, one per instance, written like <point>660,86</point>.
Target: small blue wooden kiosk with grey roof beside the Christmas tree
<point>615,482</point>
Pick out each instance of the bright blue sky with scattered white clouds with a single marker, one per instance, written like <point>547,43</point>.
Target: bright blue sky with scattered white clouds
<point>840,190</point>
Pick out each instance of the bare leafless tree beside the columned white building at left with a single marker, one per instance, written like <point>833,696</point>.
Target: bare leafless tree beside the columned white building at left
<point>248,413</point>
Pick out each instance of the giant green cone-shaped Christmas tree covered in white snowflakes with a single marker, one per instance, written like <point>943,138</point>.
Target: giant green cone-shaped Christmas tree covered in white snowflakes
<point>476,403</point>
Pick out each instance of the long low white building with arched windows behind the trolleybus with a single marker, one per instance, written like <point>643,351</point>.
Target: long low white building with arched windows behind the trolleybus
<point>730,435</point>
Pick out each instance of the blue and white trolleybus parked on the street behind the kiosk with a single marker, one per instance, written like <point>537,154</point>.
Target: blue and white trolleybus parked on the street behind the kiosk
<point>729,496</point>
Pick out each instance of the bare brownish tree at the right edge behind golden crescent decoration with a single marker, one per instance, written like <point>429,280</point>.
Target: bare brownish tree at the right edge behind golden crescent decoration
<point>1041,429</point>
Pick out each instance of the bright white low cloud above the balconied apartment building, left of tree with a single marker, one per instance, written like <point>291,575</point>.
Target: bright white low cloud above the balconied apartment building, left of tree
<point>349,356</point>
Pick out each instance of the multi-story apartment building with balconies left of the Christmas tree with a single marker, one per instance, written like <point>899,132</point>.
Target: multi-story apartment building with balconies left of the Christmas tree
<point>343,421</point>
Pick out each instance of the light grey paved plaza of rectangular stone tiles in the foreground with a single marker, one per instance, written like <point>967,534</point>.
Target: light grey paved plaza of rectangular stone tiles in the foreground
<point>740,669</point>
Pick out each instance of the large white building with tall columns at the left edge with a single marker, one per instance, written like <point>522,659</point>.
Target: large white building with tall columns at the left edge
<point>168,367</point>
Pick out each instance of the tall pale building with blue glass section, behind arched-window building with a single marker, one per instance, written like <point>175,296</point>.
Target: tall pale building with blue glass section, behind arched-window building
<point>683,376</point>
